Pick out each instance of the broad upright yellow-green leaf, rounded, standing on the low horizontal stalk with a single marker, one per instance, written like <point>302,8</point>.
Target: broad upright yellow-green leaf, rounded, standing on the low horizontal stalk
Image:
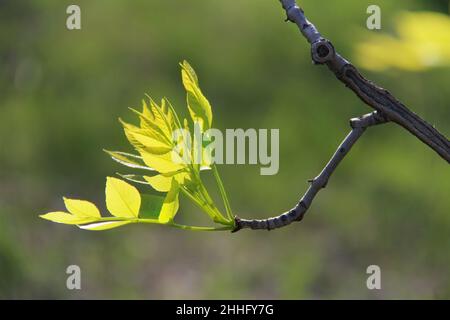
<point>122,199</point>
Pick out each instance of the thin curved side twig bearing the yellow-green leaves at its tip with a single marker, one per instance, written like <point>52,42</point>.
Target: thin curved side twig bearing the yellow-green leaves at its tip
<point>359,125</point>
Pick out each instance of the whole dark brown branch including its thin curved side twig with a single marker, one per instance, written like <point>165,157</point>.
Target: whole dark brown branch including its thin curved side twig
<point>387,107</point>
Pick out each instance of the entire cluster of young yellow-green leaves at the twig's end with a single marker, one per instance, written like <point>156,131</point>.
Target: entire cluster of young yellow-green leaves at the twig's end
<point>157,145</point>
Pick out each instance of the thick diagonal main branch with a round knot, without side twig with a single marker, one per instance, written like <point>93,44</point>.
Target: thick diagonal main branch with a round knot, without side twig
<point>323,52</point>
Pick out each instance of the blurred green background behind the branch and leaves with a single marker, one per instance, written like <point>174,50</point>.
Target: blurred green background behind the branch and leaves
<point>62,91</point>
